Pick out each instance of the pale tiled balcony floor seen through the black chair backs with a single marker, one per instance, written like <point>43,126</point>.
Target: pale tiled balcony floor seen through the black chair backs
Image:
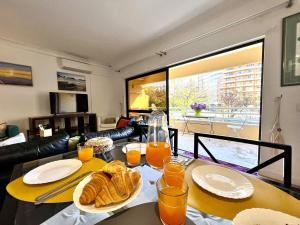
<point>237,153</point>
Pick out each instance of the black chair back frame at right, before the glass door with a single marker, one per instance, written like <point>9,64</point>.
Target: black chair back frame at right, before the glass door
<point>286,155</point>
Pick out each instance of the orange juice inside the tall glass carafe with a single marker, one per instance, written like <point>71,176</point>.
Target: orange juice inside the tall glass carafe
<point>156,152</point>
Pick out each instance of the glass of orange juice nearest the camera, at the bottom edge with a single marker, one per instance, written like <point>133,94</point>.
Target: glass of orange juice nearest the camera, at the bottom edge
<point>172,202</point>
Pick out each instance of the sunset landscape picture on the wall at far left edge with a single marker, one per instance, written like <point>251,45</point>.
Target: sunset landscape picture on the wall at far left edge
<point>15,74</point>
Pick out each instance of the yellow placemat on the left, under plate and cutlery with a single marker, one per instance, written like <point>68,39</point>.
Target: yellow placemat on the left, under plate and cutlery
<point>28,193</point>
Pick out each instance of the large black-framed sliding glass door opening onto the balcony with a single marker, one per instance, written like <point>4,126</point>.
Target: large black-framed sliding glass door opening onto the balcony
<point>228,83</point>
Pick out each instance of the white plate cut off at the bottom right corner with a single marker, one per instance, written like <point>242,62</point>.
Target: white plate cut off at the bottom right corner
<point>264,217</point>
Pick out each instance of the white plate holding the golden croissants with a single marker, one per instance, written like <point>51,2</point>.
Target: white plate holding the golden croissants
<point>91,208</point>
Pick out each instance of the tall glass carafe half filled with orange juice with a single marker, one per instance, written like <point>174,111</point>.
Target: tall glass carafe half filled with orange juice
<point>158,141</point>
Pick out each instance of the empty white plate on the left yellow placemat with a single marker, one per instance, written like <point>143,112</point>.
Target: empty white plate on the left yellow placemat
<point>52,171</point>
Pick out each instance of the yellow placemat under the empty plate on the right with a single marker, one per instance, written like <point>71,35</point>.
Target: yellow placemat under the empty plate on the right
<point>264,196</point>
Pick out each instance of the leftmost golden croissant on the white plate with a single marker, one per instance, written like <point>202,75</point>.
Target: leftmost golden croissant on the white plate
<point>93,187</point>
